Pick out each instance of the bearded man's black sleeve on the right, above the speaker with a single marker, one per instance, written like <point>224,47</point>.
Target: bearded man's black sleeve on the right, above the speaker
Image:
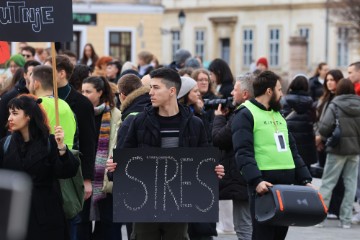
<point>301,171</point>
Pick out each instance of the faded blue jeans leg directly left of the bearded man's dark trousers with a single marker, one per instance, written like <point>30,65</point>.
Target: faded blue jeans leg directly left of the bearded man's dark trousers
<point>242,219</point>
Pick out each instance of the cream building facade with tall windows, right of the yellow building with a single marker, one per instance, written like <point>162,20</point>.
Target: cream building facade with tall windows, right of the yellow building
<point>242,31</point>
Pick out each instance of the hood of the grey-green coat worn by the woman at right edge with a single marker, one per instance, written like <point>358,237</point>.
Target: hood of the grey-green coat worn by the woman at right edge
<point>348,103</point>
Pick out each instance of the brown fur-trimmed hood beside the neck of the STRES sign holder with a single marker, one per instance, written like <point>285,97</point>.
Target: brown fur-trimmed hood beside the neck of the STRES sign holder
<point>135,101</point>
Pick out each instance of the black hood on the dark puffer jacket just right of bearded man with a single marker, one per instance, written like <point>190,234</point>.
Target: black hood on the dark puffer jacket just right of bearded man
<point>301,102</point>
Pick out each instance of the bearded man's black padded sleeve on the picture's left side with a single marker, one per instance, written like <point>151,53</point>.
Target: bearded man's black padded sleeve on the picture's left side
<point>243,141</point>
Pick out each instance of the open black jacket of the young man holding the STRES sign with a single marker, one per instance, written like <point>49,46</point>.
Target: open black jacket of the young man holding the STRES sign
<point>145,130</point>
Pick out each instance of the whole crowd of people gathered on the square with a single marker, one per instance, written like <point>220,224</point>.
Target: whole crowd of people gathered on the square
<point>265,137</point>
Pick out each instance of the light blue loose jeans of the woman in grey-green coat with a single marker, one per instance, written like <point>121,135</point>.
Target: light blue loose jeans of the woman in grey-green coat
<point>348,166</point>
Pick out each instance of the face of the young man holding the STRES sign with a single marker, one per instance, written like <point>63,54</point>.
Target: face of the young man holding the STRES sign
<point>160,95</point>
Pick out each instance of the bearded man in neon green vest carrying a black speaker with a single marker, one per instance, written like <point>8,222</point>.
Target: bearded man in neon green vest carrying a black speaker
<point>265,152</point>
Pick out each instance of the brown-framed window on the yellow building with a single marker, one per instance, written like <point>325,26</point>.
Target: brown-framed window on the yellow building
<point>120,45</point>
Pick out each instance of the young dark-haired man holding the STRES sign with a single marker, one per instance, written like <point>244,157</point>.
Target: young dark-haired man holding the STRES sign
<point>165,124</point>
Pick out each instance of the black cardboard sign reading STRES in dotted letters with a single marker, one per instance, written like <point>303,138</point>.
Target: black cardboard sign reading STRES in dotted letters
<point>166,185</point>
